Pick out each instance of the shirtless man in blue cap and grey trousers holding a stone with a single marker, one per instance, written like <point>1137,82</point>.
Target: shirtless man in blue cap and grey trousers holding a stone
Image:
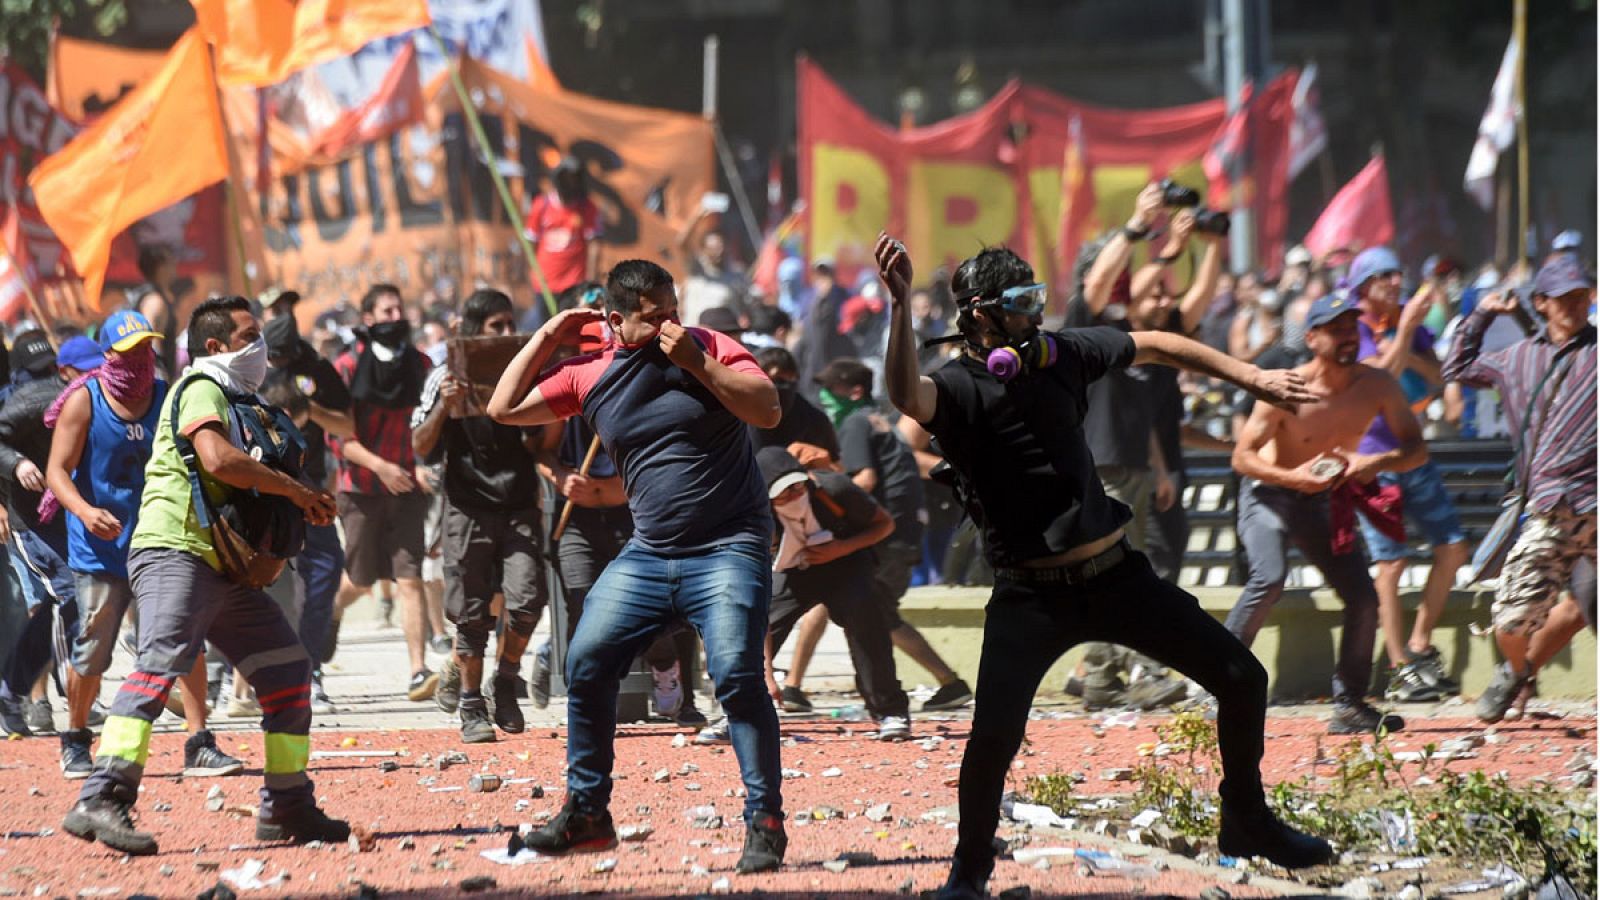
<point>1294,465</point>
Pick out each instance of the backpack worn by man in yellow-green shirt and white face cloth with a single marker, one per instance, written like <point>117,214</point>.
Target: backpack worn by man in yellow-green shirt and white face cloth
<point>255,534</point>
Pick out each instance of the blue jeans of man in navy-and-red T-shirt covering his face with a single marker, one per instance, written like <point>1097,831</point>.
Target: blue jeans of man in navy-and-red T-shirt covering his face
<point>726,595</point>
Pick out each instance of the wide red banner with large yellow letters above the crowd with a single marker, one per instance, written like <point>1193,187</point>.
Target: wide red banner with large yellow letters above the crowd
<point>1030,169</point>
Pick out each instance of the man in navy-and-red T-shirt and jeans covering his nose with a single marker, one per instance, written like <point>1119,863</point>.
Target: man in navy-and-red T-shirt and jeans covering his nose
<point>671,408</point>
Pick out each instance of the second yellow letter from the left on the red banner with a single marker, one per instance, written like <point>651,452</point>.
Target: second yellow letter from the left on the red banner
<point>956,209</point>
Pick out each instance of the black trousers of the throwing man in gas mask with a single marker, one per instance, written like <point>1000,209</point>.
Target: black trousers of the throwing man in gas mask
<point>1030,627</point>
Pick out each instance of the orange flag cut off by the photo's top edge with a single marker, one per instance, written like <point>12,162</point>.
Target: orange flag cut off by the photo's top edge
<point>262,42</point>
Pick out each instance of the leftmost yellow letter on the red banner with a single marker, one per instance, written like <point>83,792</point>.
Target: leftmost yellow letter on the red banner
<point>850,199</point>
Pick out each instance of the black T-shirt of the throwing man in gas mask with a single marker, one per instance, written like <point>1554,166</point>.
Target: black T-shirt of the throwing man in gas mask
<point>1022,452</point>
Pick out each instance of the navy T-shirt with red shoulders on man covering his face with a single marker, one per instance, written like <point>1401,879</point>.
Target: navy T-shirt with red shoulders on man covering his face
<point>687,464</point>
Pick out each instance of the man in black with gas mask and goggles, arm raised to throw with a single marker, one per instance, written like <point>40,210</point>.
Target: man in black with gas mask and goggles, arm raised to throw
<point>1010,417</point>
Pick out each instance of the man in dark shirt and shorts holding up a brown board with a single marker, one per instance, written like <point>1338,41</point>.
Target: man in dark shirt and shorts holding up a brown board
<point>494,531</point>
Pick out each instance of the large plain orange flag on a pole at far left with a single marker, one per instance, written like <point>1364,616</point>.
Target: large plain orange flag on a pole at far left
<point>156,147</point>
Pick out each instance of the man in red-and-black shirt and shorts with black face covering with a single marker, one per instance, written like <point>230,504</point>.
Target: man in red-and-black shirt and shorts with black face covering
<point>380,504</point>
